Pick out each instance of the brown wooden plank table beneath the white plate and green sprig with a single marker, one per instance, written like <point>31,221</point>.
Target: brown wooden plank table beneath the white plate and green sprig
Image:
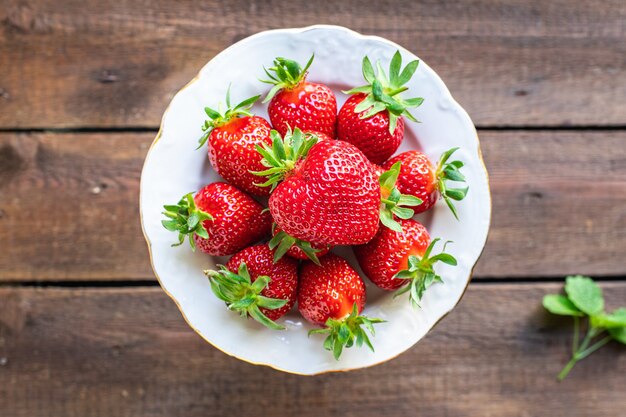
<point>85,330</point>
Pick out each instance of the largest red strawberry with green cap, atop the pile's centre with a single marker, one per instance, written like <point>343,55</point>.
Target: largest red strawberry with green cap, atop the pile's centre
<point>328,194</point>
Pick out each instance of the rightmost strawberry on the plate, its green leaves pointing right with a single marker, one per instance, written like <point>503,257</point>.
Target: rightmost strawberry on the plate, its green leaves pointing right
<point>418,177</point>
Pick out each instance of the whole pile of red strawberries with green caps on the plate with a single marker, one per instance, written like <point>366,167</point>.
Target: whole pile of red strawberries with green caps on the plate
<point>330,182</point>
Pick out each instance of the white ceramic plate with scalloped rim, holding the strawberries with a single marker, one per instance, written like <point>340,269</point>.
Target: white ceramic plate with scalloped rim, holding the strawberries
<point>173,167</point>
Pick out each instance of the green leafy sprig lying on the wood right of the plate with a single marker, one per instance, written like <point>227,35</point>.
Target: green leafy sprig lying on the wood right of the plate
<point>584,299</point>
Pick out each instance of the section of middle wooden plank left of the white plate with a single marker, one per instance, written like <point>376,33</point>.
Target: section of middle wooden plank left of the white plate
<point>69,206</point>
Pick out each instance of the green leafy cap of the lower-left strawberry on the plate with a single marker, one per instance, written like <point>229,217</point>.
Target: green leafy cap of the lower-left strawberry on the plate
<point>244,296</point>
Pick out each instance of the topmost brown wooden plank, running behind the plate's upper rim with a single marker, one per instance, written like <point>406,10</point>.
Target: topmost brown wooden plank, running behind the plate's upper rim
<point>88,63</point>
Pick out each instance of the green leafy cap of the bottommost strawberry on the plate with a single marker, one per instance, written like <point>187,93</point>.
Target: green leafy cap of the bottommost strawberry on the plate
<point>347,332</point>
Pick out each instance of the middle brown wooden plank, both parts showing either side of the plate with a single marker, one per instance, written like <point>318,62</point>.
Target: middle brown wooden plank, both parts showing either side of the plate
<point>559,205</point>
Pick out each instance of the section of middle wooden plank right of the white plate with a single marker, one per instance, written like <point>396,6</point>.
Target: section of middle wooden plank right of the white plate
<point>559,203</point>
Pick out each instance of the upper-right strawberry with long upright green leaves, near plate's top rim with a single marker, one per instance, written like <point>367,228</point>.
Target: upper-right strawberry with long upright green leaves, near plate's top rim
<point>372,118</point>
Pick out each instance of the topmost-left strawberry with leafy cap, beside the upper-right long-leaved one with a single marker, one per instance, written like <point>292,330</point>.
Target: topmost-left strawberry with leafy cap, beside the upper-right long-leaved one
<point>295,102</point>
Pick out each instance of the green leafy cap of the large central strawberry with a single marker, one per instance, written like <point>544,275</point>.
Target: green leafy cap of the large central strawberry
<point>281,158</point>
